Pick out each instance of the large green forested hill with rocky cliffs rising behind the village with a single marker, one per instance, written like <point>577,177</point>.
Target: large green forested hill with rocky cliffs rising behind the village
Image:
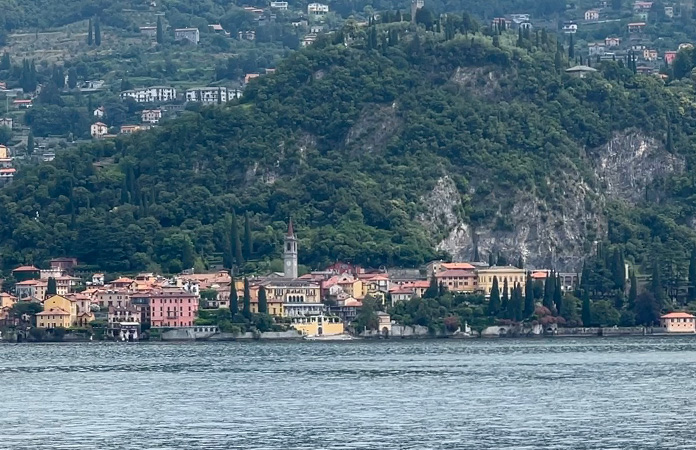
<point>383,152</point>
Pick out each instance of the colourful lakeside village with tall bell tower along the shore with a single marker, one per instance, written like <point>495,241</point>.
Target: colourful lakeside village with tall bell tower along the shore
<point>341,302</point>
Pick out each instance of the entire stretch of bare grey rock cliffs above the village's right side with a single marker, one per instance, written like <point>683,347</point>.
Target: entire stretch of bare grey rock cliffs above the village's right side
<point>556,232</point>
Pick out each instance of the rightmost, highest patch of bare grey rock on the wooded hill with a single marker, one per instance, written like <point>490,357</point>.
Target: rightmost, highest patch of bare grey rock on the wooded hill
<point>630,162</point>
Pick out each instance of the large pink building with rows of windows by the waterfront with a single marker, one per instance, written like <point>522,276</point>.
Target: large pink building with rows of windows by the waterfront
<point>172,307</point>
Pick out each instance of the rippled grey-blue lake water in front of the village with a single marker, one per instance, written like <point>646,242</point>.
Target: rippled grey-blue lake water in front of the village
<point>586,393</point>
